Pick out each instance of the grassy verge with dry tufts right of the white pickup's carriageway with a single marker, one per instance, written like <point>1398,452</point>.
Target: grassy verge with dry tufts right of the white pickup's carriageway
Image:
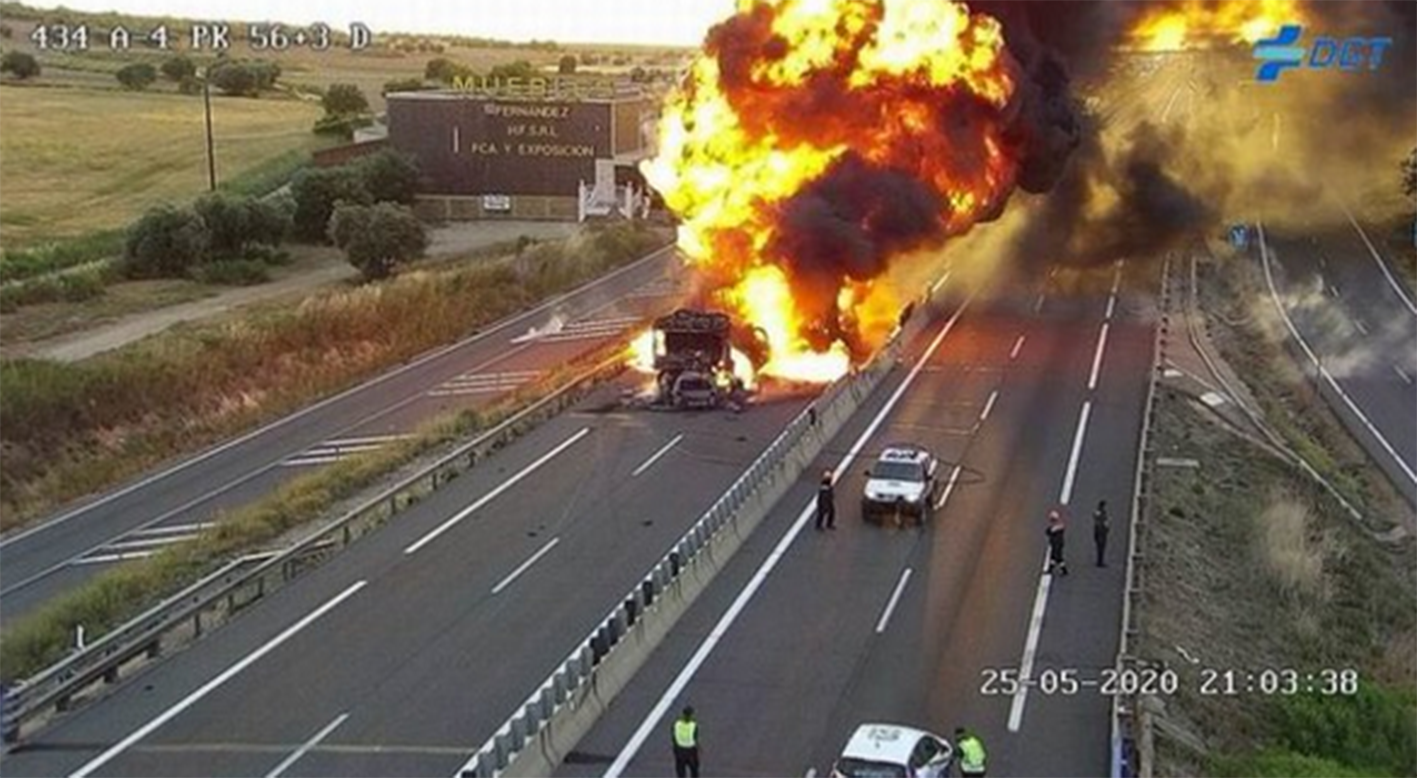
<point>1251,569</point>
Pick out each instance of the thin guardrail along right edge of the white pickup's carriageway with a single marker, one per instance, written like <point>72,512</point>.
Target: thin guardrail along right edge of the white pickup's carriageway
<point>1124,763</point>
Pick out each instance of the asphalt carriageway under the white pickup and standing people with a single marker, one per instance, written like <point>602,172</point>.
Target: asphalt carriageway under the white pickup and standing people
<point>807,634</point>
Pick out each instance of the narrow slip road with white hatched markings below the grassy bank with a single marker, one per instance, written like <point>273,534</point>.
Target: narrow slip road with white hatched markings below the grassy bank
<point>179,501</point>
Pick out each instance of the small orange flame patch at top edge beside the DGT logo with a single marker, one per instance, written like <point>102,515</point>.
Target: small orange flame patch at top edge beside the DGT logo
<point>1194,23</point>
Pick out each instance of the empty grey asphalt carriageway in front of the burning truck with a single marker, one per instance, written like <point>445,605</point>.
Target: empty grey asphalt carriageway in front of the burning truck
<point>424,638</point>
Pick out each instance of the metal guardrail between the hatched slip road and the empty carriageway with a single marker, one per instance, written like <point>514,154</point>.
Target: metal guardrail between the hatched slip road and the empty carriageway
<point>206,604</point>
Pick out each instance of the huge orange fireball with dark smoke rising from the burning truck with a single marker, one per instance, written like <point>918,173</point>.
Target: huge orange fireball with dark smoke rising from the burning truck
<point>815,141</point>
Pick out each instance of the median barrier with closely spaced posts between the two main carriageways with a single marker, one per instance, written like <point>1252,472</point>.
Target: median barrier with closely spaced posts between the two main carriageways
<point>579,671</point>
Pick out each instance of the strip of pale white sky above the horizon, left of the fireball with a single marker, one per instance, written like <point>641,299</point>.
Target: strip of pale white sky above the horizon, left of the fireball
<point>636,22</point>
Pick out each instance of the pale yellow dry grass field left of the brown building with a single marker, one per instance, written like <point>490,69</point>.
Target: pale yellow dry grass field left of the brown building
<point>79,159</point>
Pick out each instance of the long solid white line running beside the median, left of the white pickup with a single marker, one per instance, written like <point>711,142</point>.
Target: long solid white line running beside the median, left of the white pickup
<point>657,715</point>
